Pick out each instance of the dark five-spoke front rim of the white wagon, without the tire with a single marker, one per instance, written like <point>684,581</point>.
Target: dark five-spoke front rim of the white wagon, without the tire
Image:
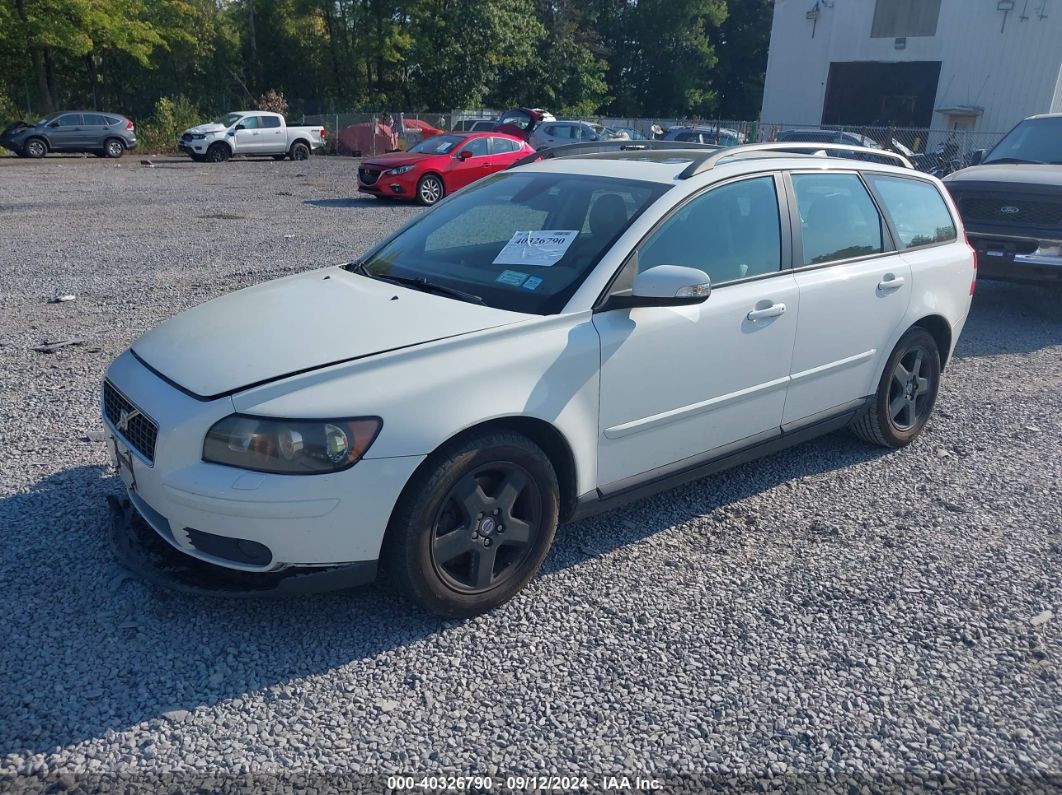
<point>487,528</point>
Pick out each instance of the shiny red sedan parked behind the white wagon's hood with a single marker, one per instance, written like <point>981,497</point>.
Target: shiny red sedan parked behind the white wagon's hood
<point>440,166</point>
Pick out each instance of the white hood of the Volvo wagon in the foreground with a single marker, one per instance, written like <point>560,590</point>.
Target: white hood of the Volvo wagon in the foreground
<point>299,324</point>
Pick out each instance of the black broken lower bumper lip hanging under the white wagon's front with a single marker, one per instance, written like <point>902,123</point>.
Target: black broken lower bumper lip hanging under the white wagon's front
<point>146,555</point>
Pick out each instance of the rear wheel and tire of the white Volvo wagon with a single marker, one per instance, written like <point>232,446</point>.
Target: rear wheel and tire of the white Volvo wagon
<point>906,393</point>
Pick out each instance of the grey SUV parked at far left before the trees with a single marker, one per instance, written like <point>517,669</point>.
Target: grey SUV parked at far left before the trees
<point>102,134</point>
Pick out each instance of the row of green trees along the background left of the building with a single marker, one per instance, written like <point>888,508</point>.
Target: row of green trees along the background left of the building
<point>620,58</point>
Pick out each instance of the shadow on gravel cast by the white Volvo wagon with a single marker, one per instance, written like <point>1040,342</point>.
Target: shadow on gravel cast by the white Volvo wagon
<point>91,650</point>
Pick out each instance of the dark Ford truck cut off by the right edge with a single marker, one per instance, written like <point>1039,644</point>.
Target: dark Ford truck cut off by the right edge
<point>1012,203</point>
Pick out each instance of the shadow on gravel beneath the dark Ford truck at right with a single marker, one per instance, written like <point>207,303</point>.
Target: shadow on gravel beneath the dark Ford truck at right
<point>1012,319</point>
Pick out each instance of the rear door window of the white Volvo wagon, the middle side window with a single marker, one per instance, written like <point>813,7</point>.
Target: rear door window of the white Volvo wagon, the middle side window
<point>837,217</point>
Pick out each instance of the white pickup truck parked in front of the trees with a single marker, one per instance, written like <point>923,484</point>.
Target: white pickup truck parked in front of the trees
<point>255,133</point>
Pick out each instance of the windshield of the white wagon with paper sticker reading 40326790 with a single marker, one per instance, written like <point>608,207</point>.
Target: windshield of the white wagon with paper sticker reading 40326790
<point>523,243</point>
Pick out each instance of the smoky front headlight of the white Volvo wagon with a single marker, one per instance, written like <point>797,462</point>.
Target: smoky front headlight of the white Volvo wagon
<point>290,446</point>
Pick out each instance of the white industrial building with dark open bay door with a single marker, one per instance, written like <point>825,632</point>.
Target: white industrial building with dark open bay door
<point>971,65</point>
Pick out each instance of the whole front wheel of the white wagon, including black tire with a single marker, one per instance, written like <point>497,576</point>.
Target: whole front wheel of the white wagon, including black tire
<point>474,526</point>
